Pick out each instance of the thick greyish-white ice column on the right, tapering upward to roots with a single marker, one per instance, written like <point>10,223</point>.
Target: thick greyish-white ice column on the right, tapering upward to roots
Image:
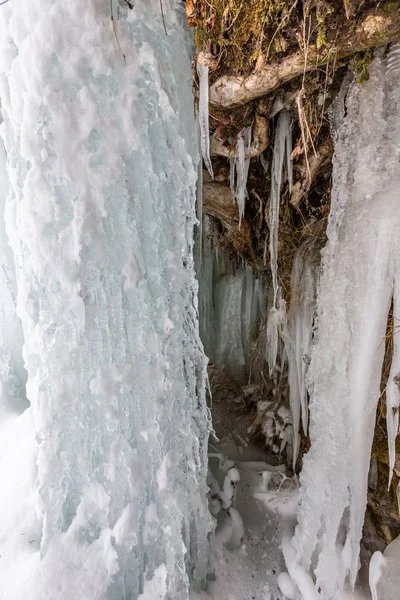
<point>360,272</point>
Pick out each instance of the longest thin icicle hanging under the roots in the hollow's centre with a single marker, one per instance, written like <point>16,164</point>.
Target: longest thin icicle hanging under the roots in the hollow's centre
<point>282,151</point>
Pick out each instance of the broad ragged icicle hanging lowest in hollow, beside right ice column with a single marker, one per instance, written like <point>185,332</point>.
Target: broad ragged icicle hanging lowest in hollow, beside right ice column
<point>297,334</point>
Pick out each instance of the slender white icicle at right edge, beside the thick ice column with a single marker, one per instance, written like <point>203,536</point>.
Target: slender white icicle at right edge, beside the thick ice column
<point>393,385</point>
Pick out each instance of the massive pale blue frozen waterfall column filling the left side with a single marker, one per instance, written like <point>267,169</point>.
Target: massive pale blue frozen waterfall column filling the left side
<point>102,159</point>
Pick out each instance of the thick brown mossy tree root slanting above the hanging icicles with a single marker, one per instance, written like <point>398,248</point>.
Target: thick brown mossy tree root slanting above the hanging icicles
<point>377,28</point>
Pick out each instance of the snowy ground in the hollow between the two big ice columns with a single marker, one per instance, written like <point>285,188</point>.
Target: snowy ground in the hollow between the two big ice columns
<point>247,559</point>
